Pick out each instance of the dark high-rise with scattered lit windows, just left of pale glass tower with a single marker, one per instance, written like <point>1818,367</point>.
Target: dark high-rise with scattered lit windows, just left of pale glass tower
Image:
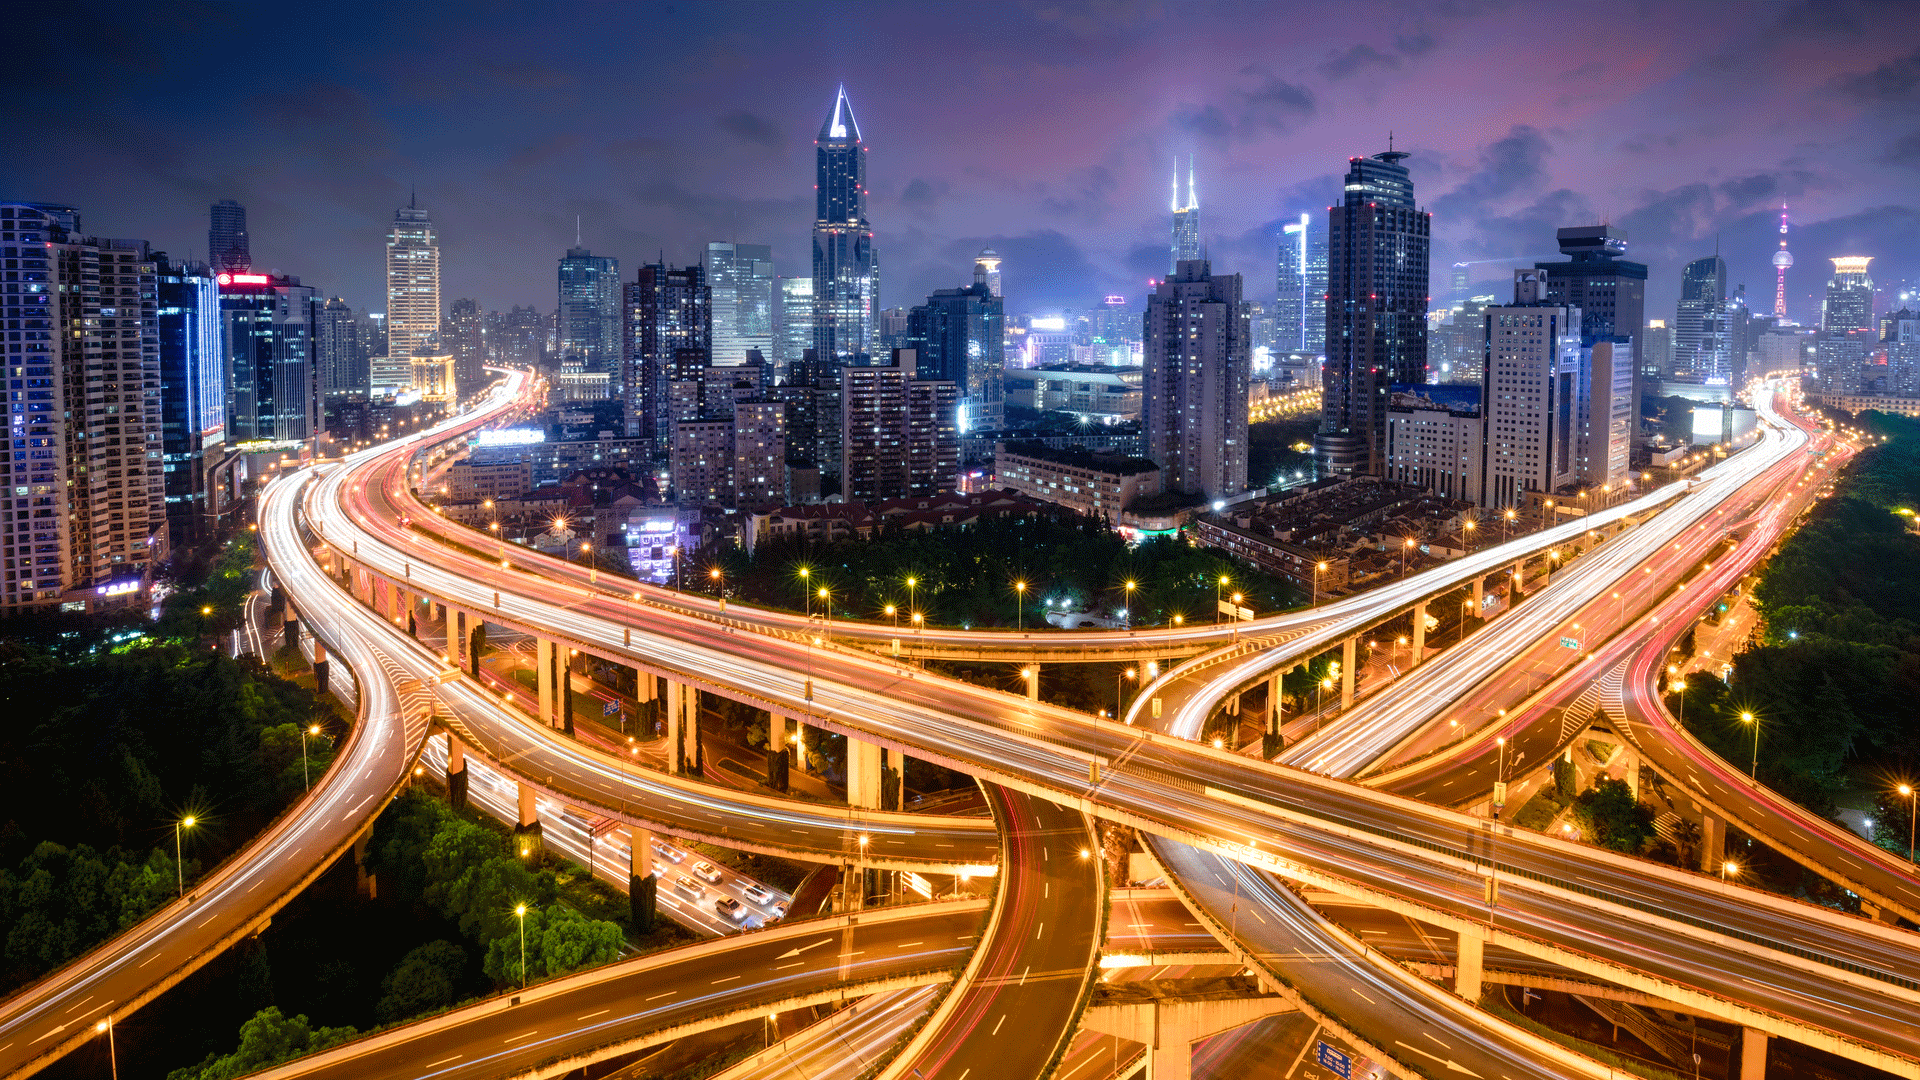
<point>669,330</point>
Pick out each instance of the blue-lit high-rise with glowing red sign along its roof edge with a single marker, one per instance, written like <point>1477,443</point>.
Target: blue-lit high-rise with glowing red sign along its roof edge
<point>274,383</point>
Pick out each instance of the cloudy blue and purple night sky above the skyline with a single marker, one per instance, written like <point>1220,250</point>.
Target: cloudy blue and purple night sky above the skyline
<point>1042,130</point>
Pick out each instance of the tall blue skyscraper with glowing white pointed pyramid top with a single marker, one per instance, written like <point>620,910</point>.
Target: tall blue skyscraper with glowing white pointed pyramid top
<point>846,272</point>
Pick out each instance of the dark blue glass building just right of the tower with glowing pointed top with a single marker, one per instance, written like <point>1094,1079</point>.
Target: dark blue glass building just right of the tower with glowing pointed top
<point>959,335</point>
